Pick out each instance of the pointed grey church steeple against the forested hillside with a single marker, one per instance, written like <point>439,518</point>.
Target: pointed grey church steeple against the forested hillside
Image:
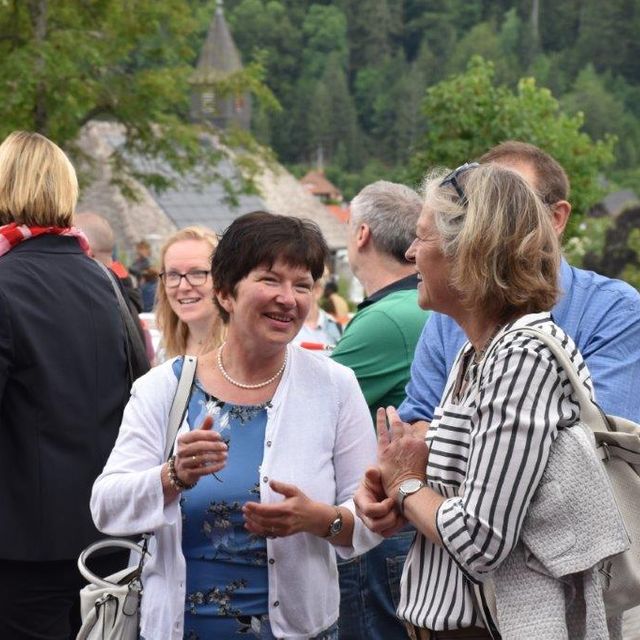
<point>218,59</point>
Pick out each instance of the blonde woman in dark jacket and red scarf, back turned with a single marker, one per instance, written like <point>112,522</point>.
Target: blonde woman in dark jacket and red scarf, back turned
<point>63,387</point>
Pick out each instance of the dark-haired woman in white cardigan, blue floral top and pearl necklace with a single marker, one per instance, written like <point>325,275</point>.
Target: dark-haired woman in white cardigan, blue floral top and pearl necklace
<point>252,549</point>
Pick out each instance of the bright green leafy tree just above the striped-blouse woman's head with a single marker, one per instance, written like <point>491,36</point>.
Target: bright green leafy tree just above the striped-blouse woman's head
<point>469,113</point>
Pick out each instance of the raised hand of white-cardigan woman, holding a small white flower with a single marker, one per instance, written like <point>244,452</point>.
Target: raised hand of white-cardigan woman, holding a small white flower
<point>199,453</point>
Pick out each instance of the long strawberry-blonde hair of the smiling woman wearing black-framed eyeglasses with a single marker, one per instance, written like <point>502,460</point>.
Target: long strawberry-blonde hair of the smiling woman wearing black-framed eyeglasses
<point>175,333</point>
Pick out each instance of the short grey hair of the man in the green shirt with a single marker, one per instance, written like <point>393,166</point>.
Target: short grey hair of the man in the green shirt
<point>391,210</point>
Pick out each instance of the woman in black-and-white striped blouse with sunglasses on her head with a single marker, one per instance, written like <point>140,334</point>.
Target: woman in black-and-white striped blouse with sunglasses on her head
<point>488,256</point>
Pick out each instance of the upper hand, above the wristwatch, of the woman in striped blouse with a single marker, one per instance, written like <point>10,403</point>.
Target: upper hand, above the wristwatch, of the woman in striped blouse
<point>402,454</point>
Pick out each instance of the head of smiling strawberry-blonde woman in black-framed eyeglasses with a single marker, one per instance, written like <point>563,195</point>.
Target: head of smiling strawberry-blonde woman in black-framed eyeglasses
<point>185,311</point>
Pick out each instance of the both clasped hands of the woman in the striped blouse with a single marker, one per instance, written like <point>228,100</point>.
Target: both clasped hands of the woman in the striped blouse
<point>402,454</point>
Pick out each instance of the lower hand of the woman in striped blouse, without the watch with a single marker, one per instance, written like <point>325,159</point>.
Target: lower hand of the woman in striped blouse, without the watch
<point>375,509</point>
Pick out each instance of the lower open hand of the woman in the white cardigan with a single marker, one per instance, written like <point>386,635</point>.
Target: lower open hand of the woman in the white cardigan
<point>296,513</point>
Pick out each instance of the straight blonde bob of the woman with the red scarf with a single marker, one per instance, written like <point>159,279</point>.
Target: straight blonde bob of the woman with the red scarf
<point>38,184</point>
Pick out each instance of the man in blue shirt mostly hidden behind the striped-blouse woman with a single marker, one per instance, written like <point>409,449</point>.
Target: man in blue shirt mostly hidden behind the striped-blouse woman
<point>602,315</point>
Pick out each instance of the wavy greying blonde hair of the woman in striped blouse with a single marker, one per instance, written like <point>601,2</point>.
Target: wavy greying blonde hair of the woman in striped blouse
<point>503,249</point>
